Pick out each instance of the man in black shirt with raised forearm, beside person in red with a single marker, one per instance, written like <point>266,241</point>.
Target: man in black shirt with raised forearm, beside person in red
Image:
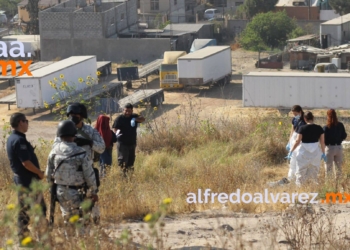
<point>125,127</point>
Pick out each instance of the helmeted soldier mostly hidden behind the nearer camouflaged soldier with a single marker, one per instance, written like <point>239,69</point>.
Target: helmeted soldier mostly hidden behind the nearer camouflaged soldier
<point>87,138</point>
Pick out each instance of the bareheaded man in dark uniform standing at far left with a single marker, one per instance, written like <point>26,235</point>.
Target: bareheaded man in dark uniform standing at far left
<point>25,166</point>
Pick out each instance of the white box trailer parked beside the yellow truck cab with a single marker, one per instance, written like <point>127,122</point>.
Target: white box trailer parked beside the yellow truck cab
<point>206,66</point>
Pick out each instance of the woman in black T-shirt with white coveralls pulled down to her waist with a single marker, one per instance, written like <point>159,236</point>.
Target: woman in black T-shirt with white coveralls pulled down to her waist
<point>309,155</point>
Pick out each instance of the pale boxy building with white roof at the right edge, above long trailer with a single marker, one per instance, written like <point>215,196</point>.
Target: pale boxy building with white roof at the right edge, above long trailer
<point>335,32</point>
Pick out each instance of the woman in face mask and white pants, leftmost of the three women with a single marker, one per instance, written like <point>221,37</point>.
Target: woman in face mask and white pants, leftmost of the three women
<point>297,121</point>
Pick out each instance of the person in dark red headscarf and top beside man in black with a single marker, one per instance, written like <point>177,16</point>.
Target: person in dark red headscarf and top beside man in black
<point>103,127</point>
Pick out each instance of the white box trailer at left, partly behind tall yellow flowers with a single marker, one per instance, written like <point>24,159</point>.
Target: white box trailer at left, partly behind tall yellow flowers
<point>33,91</point>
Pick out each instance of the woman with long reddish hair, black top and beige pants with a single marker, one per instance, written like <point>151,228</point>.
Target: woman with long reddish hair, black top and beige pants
<point>335,134</point>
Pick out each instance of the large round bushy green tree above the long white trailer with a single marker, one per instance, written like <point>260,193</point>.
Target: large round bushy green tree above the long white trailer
<point>267,30</point>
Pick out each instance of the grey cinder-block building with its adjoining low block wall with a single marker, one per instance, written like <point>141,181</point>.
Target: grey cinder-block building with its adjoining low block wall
<point>76,28</point>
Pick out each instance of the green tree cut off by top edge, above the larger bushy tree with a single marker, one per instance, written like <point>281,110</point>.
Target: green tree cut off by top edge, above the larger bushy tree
<point>252,7</point>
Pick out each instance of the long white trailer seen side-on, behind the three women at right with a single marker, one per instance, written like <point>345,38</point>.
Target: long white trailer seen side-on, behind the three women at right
<point>282,90</point>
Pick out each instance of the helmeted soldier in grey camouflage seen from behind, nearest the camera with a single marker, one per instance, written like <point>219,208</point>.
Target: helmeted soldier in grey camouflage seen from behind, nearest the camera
<point>70,168</point>
